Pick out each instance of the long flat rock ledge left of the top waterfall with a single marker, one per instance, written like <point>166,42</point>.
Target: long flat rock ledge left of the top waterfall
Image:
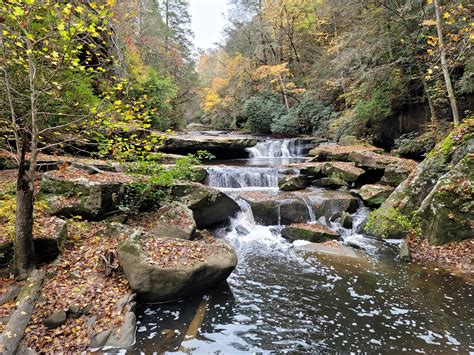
<point>220,146</point>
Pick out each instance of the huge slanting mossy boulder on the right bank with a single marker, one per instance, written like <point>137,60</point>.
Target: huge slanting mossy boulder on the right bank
<point>438,193</point>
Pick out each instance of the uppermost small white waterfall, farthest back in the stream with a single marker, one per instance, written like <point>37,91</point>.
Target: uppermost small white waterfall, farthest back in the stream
<point>278,148</point>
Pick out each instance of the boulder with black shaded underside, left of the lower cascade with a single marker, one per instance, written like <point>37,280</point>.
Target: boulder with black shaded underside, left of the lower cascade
<point>210,206</point>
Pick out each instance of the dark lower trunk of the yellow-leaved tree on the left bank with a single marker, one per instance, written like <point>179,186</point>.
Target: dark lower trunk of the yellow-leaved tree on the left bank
<point>24,249</point>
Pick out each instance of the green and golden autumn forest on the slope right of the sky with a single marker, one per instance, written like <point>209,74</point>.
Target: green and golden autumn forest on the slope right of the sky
<point>359,62</point>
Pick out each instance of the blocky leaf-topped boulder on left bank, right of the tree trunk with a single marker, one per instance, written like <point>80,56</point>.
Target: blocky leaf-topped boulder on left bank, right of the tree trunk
<point>74,192</point>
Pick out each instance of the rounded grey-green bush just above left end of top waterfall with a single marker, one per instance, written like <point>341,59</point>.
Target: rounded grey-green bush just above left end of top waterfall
<point>261,111</point>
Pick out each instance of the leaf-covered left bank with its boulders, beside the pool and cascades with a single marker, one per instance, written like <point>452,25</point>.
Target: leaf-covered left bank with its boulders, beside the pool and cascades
<point>86,301</point>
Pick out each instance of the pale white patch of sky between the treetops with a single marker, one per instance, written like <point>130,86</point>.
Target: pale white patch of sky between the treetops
<point>208,21</point>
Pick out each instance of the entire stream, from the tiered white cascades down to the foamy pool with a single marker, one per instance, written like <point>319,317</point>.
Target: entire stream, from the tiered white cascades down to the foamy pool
<point>283,297</point>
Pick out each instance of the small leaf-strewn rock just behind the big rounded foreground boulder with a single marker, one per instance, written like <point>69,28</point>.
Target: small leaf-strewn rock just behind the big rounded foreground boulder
<point>175,221</point>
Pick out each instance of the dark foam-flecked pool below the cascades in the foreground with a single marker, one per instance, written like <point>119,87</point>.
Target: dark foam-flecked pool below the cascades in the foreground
<point>287,301</point>
